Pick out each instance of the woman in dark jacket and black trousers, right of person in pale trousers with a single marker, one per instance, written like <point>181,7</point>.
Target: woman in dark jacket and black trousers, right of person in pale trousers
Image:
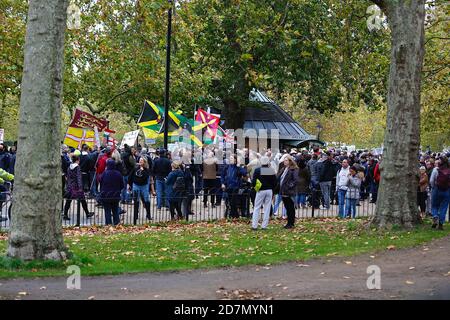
<point>288,181</point>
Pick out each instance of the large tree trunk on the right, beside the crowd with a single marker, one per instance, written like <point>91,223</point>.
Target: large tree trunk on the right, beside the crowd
<point>398,187</point>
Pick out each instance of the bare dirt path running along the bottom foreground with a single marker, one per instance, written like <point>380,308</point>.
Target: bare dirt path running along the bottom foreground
<point>421,272</point>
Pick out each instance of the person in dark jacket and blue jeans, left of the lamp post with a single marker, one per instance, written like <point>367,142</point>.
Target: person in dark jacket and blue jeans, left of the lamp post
<point>139,182</point>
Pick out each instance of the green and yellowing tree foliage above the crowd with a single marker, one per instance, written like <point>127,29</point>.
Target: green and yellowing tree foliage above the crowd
<point>309,55</point>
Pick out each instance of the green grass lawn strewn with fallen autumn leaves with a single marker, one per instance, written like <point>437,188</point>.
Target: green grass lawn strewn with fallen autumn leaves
<point>107,250</point>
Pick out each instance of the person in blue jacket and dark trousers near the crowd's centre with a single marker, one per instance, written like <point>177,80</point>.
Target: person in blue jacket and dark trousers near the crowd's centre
<point>231,180</point>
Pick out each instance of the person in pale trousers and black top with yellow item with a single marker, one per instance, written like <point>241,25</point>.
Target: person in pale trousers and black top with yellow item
<point>266,178</point>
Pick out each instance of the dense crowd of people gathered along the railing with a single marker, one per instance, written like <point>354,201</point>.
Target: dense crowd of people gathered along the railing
<point>246,181</point>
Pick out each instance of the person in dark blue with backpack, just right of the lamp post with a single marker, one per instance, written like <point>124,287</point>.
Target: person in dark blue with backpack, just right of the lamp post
<point>175,190</point>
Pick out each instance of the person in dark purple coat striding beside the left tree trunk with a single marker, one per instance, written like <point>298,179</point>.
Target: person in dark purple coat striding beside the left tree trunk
<point>74,188</point>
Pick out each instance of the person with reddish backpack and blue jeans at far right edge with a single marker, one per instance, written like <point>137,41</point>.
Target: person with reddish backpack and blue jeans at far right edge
<point>440,194</point>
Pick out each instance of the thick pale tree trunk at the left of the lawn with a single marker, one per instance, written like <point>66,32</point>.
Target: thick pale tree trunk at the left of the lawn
<point>36,231</point>
